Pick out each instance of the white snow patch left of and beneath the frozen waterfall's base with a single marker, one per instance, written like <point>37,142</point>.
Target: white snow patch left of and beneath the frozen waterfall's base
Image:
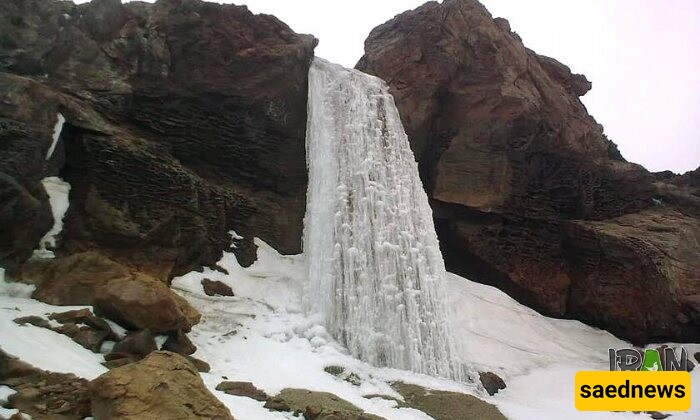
<point>262,335</point>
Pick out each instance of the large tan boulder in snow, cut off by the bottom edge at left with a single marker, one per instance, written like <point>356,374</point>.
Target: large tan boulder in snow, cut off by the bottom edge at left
<point>163,385</point>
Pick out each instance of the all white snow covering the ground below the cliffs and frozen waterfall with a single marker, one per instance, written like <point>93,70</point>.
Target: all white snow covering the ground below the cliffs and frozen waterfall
<point>262,335</point>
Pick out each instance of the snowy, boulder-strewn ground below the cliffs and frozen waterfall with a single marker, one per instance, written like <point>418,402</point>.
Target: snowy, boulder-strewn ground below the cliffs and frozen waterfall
<point>260,357</point>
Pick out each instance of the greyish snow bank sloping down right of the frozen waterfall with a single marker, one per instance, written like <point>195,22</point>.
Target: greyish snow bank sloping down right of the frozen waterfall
<point>497,333</point>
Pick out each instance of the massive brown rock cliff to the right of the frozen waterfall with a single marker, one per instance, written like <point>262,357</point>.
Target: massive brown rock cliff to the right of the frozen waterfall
<point>528,193</point>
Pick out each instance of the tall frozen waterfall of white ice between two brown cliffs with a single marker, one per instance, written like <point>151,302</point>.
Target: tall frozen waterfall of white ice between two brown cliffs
<point>375,272</point>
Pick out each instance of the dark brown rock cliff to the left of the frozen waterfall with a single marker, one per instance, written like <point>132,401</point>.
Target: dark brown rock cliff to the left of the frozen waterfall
<point>184,120</point>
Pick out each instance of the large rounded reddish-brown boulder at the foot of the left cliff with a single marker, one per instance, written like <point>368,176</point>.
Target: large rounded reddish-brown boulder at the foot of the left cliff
<point>142,302</point>
